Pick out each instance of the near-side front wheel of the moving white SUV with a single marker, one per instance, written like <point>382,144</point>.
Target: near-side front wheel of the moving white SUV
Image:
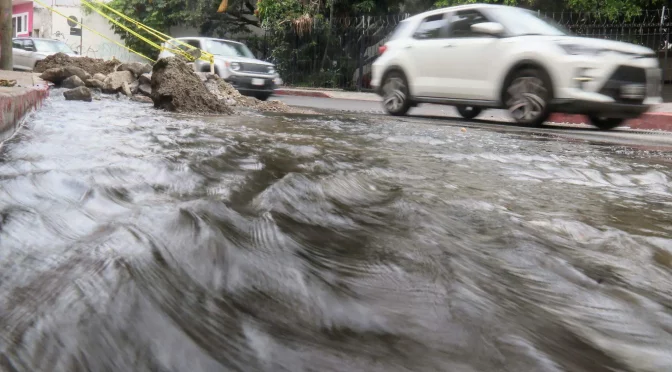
<point>527,95</point>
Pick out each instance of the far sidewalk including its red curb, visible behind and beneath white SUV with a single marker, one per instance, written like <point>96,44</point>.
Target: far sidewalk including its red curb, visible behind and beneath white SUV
<point>659,118</point>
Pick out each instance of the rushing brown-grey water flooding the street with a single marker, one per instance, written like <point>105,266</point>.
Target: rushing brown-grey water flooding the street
<point>136,240</point>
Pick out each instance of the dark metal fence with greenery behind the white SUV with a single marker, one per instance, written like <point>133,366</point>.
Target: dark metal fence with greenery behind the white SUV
<point>338,53</point>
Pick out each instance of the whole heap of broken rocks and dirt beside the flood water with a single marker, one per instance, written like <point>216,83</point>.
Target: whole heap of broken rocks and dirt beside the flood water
<point>169,85</point>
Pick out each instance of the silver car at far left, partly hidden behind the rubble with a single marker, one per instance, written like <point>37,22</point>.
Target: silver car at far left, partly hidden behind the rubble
<point>27,51</point>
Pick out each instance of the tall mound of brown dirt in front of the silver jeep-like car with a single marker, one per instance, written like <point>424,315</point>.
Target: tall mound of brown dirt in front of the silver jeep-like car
<point>175,87</point>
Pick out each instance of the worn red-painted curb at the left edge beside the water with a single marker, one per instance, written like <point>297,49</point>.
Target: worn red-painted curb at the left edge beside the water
<point>15,104</point>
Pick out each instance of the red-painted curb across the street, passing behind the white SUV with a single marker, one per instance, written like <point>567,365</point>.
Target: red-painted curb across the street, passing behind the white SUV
<point>650,121</point>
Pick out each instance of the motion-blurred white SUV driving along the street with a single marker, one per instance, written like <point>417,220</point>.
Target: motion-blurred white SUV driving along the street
<point>492,56</point>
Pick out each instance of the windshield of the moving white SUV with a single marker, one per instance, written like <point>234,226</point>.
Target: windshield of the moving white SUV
<point>524,22</point>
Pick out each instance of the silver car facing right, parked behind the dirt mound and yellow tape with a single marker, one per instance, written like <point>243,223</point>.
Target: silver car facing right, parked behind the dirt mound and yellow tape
<point>234,63</point>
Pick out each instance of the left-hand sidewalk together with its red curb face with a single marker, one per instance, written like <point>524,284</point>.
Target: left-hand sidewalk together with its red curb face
<point>19,100</point>
